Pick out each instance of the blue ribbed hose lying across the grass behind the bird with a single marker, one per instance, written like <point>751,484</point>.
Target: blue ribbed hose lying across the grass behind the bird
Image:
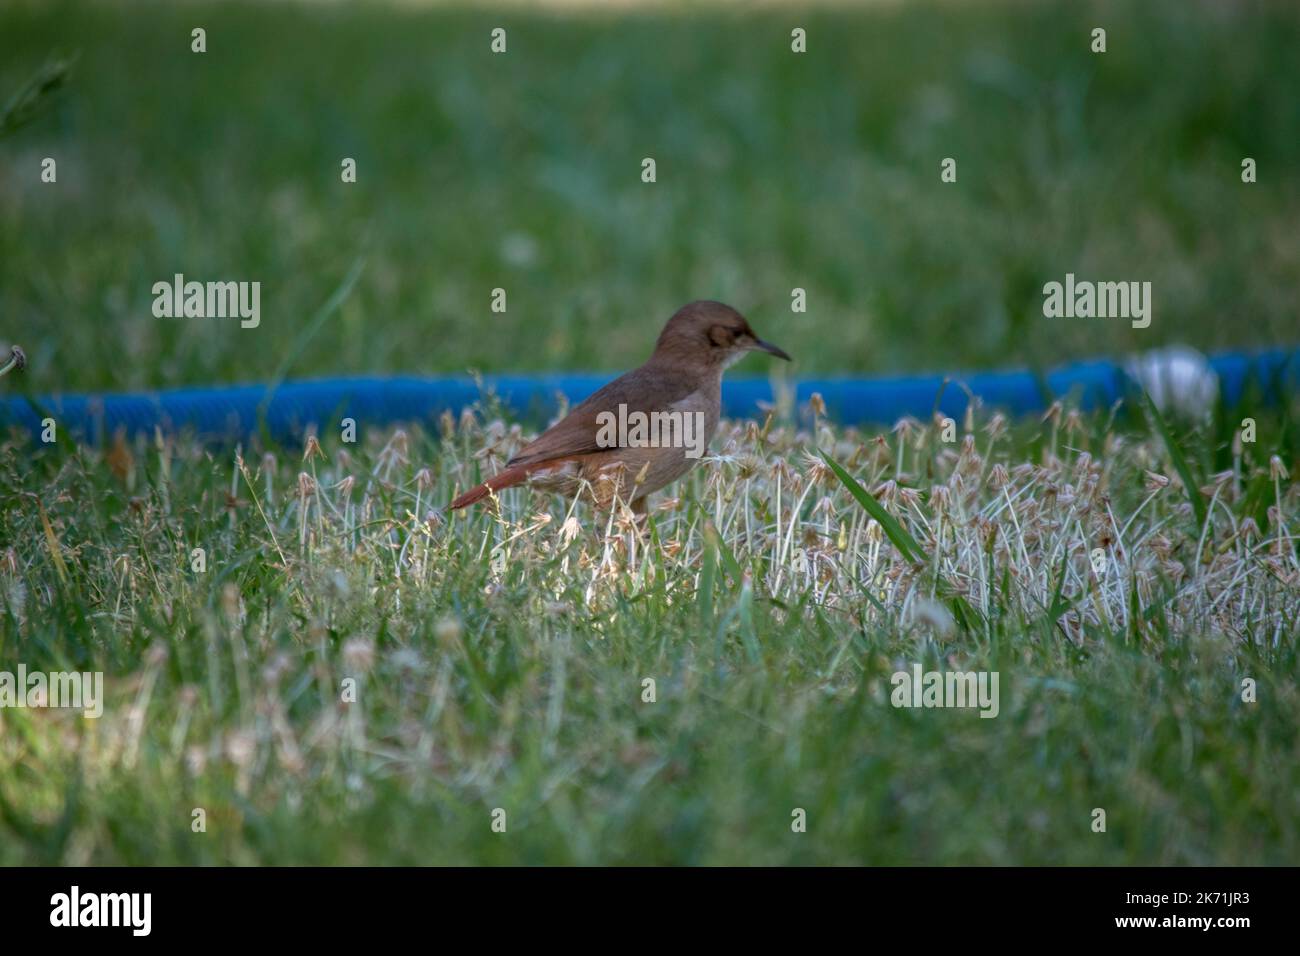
<point>233,413</point>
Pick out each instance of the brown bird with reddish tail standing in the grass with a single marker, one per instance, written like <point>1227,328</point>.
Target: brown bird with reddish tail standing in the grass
<point>647,429</point>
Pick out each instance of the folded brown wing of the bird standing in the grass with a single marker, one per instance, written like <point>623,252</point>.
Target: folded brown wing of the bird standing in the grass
<point>643,390</point>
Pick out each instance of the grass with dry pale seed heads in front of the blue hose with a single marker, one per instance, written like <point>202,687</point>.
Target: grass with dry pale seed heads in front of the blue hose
<point>501,657</point>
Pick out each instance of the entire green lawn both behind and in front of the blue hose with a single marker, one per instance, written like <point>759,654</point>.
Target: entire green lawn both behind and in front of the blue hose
<point>300,643</point>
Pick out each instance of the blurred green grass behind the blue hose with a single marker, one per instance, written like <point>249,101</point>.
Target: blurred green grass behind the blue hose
<point>523,171</point>
